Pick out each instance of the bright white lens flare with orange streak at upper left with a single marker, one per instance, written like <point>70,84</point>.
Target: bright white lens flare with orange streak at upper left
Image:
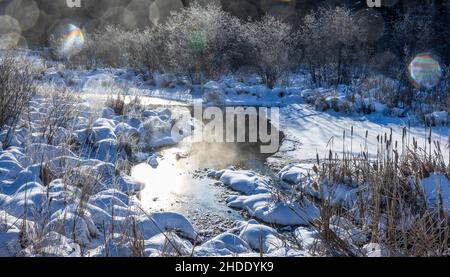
<point>71,41</point>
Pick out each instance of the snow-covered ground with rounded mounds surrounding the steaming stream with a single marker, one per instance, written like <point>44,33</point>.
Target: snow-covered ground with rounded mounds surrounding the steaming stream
<point>76,199</point>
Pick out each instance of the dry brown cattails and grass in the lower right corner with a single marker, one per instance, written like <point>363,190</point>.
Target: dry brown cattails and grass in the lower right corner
<point>391,206</point>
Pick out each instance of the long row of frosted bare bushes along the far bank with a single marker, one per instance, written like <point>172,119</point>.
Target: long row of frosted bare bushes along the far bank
<point>336,45</point>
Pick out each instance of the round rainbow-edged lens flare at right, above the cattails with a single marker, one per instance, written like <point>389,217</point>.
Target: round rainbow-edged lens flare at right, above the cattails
<point>425,71</point>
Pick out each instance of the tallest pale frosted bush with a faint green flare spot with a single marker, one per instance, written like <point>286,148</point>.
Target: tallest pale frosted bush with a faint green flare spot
<point>201,40</point>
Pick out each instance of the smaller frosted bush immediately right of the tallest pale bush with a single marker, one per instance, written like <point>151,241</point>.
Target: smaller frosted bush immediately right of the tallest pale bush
<point>270,45</point>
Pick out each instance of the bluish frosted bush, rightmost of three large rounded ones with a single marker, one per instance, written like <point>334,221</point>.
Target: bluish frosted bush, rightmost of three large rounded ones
<point>331,44</point>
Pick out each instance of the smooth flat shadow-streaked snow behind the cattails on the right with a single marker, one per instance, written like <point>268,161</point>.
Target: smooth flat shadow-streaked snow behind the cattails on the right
<point>318,132</point>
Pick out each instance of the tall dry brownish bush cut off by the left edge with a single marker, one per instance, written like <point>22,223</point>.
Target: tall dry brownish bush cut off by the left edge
<point>16,89</point>
